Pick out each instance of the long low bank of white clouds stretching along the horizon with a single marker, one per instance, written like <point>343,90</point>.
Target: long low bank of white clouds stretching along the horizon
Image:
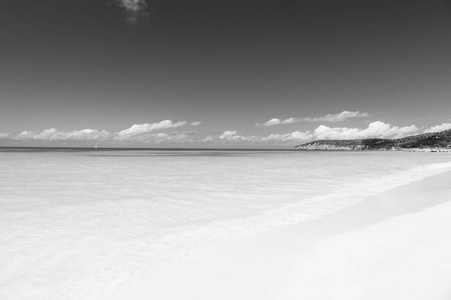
<point>151,133</point>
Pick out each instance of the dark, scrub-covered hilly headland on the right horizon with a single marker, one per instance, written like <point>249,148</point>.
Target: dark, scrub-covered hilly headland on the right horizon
<point>436,141</point>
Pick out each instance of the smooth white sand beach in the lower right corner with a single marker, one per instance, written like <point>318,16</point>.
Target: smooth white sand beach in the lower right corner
<point>395,245</point>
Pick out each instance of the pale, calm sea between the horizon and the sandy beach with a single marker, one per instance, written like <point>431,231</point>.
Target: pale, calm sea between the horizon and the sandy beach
<point>77,222</point>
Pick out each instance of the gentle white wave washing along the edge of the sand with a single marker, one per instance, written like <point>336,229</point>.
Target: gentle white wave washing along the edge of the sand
<point>198,237</point>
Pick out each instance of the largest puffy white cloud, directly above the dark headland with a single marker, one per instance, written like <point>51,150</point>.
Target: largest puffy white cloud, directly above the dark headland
<point>376,129</point>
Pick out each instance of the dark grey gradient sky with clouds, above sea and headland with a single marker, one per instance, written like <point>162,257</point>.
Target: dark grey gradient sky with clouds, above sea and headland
<point>257,74</point>
